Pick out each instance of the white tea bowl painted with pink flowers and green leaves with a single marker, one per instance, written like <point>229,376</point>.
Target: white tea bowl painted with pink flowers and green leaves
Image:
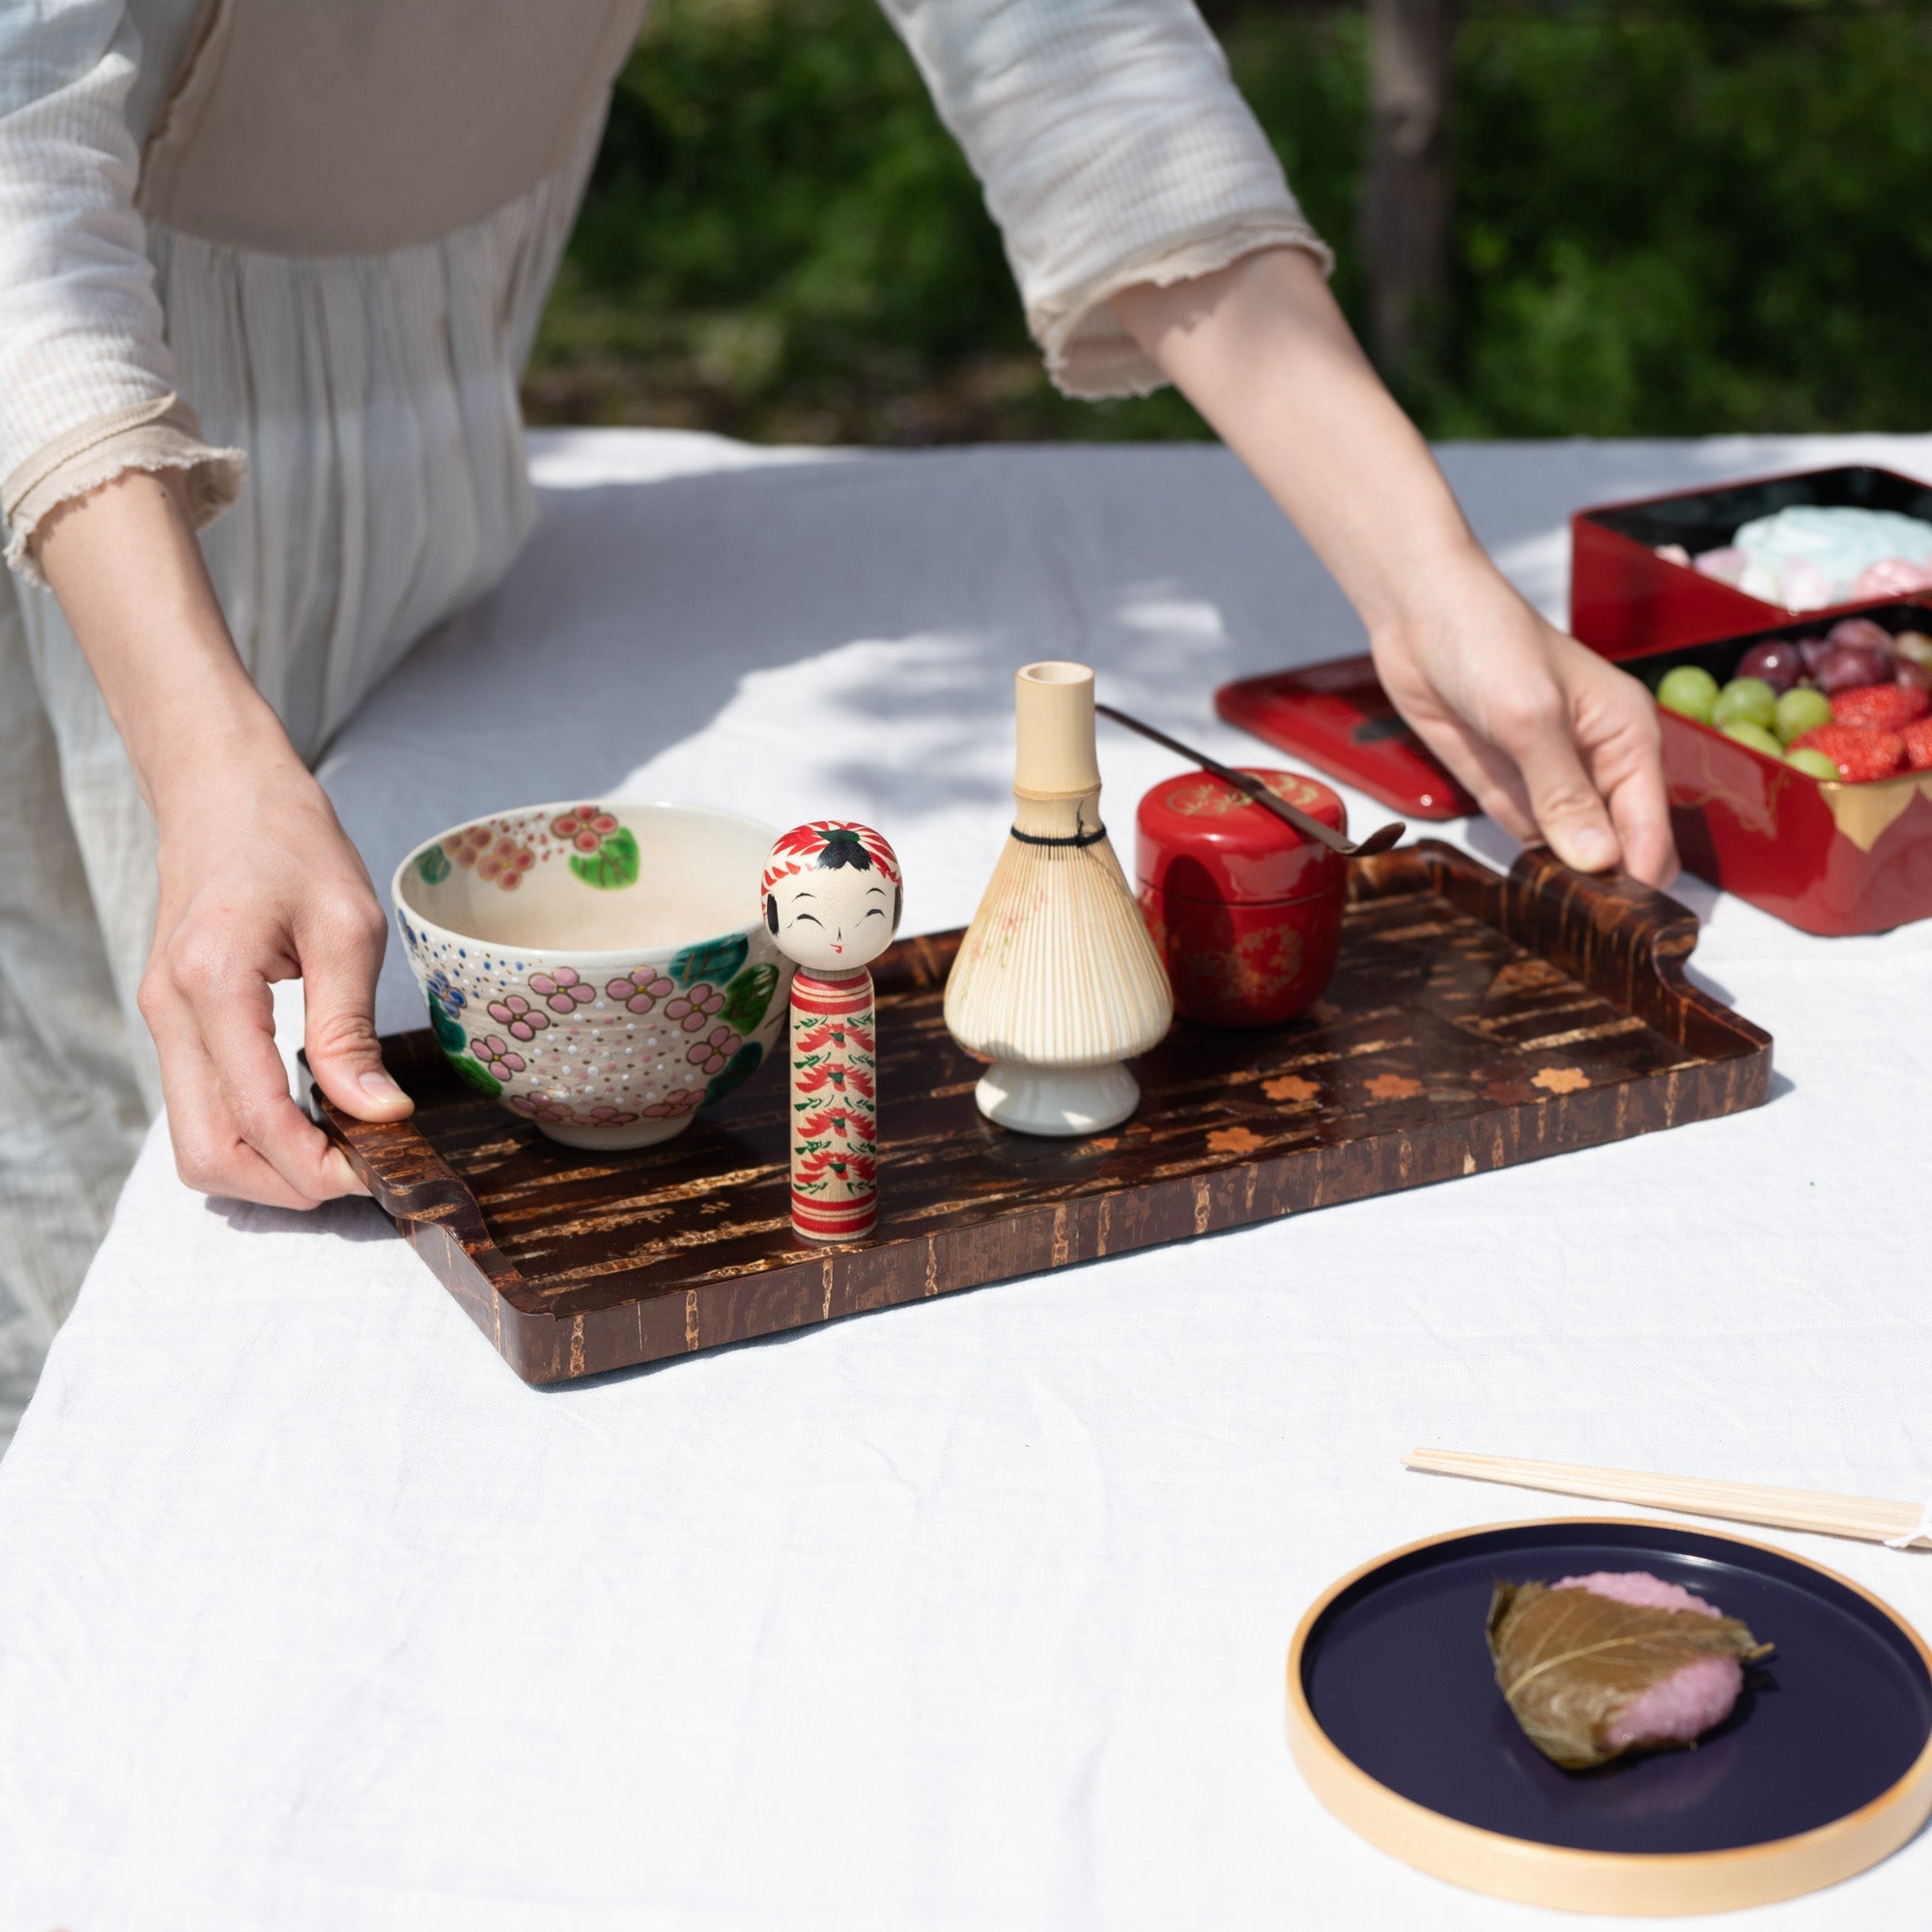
<point>600,971</point>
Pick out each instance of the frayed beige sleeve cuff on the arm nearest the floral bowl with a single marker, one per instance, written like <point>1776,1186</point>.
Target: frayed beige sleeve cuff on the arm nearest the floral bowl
<point>159,434</point>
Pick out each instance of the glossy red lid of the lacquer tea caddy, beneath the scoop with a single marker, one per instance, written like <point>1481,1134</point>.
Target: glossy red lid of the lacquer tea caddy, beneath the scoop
<point>1201,838</point>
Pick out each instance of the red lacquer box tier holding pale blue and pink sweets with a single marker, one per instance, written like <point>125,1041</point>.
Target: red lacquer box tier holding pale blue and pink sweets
<point>1626,600</point>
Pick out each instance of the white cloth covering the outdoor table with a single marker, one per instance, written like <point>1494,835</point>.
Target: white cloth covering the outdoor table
<point>969,1614</point>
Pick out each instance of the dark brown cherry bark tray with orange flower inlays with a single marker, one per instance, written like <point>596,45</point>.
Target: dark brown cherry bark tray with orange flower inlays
<point>1473,1023</point>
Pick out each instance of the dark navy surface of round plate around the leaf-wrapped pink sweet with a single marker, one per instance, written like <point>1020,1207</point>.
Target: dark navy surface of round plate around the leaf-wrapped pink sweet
<point>1398,1674</point>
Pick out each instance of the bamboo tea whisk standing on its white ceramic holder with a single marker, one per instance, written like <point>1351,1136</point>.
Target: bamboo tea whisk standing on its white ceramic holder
<point>1058,980</point>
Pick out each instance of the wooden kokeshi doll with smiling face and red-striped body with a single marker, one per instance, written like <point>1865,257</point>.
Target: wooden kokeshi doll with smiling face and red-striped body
<point>834,899</point>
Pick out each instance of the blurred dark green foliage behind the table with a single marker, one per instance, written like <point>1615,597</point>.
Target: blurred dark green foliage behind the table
<point>1674,217</point>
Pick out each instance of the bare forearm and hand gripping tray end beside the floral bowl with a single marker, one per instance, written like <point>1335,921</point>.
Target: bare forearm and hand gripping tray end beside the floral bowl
<point>258,880</point>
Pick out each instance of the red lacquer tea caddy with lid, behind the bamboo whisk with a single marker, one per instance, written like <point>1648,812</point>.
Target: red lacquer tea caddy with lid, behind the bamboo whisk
<point>1243,909</point>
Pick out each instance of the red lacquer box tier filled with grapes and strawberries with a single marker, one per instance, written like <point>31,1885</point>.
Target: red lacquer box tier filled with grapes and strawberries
<point>1825,857</point>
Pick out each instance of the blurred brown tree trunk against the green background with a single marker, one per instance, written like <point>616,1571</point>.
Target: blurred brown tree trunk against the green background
<point>1407,208</point>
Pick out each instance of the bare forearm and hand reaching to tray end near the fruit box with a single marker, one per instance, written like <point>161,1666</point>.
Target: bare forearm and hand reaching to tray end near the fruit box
<point>1548,737</point>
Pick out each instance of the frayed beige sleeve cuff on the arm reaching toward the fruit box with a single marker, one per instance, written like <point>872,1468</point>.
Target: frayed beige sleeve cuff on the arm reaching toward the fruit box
<point>1089,351</point>
